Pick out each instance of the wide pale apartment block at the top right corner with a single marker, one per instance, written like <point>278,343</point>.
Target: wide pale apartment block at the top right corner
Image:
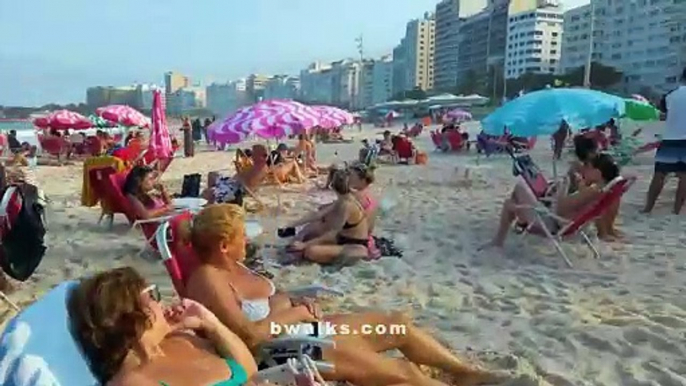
<point>645,39</point>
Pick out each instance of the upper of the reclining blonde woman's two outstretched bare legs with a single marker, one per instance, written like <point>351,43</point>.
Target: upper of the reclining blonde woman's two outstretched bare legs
<point>417,346</point>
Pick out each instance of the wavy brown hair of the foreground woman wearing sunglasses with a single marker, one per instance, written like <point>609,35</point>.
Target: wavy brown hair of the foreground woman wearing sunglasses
<point>107,318</point>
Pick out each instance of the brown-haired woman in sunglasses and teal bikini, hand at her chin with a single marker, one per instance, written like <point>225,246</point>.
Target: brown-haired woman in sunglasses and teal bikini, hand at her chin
<point>129,338</point>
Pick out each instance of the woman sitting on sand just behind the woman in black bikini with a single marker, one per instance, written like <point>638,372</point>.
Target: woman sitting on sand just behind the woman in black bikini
<point>318,223</point>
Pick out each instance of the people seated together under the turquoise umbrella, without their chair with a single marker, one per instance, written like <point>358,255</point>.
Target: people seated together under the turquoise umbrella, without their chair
<point>586,178</point>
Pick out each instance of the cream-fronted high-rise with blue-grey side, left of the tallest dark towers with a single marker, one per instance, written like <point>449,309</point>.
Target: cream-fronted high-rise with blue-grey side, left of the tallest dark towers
<point>415,56</point>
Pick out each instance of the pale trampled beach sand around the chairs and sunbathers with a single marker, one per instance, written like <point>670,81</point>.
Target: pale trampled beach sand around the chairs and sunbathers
<point>619,320</point>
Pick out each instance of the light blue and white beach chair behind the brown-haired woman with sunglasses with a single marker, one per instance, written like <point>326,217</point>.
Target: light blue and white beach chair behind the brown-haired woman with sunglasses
<point>36,353</point>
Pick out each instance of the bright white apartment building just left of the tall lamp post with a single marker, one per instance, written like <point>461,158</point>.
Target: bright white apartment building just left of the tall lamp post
<point>534,42</point>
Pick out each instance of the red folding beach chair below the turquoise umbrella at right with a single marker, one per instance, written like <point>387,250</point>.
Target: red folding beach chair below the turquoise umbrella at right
<point>569,228</point>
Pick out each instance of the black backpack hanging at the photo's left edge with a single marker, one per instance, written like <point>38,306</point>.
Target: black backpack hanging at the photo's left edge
<point>22,231</point>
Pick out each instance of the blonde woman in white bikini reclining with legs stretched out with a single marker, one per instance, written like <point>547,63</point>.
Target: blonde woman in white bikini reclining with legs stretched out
<point>249,304</point>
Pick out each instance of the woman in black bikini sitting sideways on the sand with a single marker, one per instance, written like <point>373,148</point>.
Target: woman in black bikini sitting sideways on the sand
<point>347,237</point>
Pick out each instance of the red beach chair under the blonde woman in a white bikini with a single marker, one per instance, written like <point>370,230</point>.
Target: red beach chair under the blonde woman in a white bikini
<point>180,261</point>
